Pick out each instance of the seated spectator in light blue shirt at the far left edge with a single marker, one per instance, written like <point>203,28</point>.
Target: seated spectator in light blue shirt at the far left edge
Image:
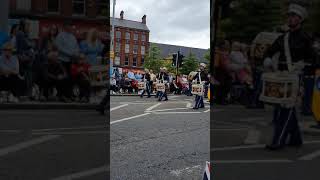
<point>9,73</point>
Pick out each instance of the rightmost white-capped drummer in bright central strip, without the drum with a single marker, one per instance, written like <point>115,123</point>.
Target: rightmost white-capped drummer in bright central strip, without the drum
<point>201,76</point>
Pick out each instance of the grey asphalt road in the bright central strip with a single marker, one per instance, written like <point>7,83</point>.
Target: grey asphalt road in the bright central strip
<point>158,140</point>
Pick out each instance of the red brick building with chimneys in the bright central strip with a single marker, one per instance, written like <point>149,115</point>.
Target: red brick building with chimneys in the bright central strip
<point>131,42</point>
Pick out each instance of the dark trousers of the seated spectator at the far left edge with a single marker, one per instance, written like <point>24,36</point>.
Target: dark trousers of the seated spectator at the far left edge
<point>12,83</point>
